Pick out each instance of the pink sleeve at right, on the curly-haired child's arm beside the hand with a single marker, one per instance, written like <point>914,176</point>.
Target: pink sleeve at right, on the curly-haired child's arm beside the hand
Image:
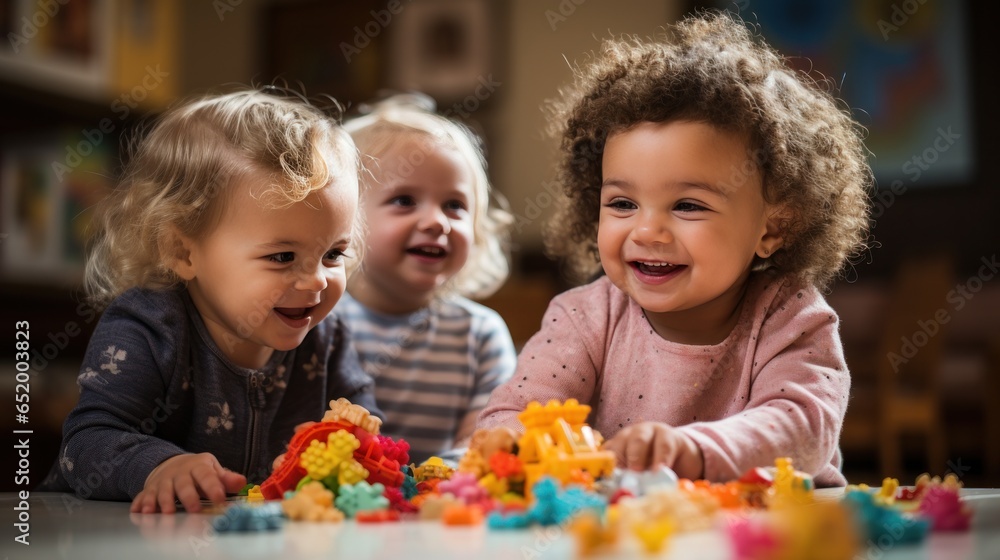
<point>798,397</point>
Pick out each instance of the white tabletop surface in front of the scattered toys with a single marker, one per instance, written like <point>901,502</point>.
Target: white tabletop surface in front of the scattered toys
<point>64,527</point>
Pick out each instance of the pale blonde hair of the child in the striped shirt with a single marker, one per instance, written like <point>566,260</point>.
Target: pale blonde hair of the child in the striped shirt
<point>413,114</point>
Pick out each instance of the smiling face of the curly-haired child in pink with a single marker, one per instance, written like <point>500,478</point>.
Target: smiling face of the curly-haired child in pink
<point>681,219</point>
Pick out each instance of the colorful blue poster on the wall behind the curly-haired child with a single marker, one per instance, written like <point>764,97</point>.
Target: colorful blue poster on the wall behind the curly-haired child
<point>901,66</point>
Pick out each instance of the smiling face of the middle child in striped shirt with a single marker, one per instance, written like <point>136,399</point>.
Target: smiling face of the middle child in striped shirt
<point>420,225</point>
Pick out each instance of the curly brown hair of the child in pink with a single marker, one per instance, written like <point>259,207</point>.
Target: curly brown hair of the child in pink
<point>808,149</point>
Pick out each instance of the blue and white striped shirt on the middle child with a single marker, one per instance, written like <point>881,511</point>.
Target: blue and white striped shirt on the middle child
<point>434,369</point>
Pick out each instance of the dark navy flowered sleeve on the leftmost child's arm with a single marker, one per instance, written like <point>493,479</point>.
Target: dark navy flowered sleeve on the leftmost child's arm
<point>107,450</point>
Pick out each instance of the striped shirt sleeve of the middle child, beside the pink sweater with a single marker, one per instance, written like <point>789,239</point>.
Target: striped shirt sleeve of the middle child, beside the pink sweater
<point>494,363</point>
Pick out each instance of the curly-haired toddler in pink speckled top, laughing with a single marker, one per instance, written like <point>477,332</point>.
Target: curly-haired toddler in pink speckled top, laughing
<point>719,191</point>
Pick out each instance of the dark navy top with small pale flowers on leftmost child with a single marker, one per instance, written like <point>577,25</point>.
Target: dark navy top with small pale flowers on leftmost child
<point>153,384</point>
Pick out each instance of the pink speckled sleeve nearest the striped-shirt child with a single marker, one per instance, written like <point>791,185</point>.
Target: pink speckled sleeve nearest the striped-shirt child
<point>561,361</point>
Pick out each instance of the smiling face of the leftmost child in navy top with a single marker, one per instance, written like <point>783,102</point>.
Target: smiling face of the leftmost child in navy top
<point>263,277</point>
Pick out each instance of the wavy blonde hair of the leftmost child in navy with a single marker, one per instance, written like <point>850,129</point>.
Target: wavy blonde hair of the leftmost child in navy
<point>178,174</point>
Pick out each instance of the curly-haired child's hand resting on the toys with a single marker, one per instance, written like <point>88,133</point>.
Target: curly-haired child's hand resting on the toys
<point>648,444</point>
